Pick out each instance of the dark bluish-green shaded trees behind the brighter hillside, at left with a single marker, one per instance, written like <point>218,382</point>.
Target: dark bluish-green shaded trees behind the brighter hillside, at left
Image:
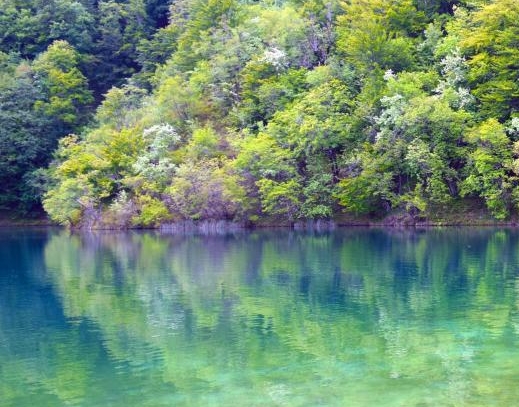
<point>57,59</point>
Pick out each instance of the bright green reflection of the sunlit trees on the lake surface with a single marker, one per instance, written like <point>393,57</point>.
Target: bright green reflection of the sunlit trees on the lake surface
<point>385,303</point>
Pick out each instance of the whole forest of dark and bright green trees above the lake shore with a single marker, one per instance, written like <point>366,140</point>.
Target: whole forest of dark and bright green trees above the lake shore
<point>136,113</point>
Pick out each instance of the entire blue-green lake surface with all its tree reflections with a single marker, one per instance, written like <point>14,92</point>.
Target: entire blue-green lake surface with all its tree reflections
<point>357,317</point>
